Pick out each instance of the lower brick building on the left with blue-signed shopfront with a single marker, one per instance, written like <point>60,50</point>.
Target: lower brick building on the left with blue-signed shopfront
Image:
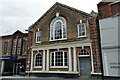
<point>13,53</point>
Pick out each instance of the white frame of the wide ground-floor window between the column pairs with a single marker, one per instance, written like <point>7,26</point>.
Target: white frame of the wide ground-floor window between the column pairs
<point>55,62</point>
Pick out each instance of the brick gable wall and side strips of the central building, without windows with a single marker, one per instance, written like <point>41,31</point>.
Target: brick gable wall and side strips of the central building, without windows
<point>72,18</point>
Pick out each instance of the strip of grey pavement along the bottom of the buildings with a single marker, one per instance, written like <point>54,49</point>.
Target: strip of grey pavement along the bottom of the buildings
<point>52,78</point>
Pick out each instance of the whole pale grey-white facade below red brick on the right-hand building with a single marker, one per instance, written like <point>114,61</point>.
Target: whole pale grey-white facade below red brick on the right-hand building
<point>109,31</point>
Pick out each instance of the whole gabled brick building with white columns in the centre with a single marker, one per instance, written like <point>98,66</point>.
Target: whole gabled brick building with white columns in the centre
<point>64,42</point>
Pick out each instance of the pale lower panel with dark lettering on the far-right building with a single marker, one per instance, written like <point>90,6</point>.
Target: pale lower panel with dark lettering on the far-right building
<point>111,64</point>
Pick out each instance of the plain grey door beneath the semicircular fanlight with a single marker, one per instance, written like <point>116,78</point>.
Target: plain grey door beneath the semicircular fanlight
<point>84,66</point>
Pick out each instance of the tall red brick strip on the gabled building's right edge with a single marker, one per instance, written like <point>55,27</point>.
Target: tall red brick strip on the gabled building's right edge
<point>94,34</point>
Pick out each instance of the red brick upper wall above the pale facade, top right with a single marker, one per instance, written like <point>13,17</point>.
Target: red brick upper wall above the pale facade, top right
<point>106,10</point>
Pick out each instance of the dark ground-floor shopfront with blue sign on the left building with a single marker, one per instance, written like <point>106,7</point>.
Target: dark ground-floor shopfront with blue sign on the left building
<point>12,65</point>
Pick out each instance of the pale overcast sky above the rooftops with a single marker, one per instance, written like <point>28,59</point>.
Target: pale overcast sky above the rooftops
<point>20,14</point>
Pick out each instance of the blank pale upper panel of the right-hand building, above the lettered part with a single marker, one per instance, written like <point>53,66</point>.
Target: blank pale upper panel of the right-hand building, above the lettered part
<point>109,31</point>
